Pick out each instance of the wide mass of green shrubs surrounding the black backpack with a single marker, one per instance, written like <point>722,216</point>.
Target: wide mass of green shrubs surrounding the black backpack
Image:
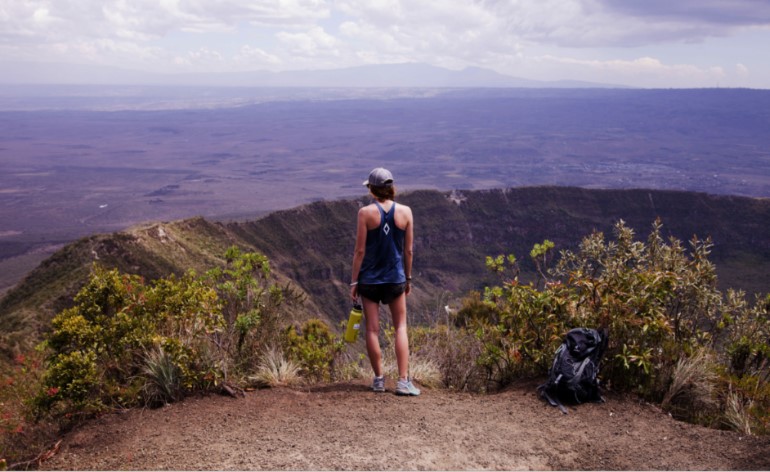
<point>658,302</point>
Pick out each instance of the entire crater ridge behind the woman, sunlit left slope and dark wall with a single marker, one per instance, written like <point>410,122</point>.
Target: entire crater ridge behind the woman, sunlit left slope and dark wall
<point>312,245</point>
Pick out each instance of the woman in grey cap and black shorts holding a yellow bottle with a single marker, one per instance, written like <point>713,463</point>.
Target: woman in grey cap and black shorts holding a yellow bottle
<point>382,273</point>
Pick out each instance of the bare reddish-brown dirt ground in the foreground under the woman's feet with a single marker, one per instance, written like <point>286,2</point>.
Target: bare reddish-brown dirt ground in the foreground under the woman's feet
<point>347,427</point>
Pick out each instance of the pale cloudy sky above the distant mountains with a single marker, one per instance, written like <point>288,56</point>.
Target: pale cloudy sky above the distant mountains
<point>647,43</point>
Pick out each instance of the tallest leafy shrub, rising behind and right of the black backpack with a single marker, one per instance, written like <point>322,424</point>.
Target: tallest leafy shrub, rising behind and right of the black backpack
<point>658,302</point>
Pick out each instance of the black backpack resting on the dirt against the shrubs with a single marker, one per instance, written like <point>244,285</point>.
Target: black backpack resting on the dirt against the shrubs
<point>573,375</point>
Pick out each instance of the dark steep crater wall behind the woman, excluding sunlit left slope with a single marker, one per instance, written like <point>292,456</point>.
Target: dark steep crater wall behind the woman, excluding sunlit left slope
<point>454,231</point>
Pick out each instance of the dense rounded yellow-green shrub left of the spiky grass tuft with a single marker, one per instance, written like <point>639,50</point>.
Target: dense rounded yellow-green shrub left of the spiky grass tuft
<point>97,349</point>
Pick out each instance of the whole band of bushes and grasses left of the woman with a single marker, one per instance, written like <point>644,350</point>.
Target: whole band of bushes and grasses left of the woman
<point>126,342</point>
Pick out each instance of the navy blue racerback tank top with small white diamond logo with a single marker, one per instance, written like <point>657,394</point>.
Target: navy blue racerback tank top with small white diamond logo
<point>384,257</point>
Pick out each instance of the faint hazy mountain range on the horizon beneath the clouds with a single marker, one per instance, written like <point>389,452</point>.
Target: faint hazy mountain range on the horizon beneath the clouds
<point>383,75</point>
